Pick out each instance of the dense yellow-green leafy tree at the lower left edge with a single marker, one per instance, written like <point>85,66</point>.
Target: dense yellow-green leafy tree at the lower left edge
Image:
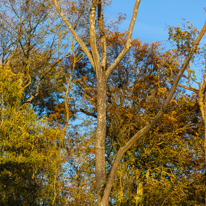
<point>32,153</point>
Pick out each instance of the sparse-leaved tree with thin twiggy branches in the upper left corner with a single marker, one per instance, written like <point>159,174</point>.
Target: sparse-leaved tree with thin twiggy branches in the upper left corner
<point>32,43</point>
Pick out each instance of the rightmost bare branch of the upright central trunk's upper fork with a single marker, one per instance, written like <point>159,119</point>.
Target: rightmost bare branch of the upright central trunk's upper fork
<point>128,41</point>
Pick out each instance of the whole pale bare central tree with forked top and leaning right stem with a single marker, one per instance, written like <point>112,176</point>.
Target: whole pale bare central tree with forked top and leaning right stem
<point>103,186</point>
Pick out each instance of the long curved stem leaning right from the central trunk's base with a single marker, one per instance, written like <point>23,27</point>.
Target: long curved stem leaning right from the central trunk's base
<point>137,136</point>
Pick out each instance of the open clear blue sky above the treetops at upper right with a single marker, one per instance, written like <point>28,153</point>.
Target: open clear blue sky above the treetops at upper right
<point>154,15</point>
